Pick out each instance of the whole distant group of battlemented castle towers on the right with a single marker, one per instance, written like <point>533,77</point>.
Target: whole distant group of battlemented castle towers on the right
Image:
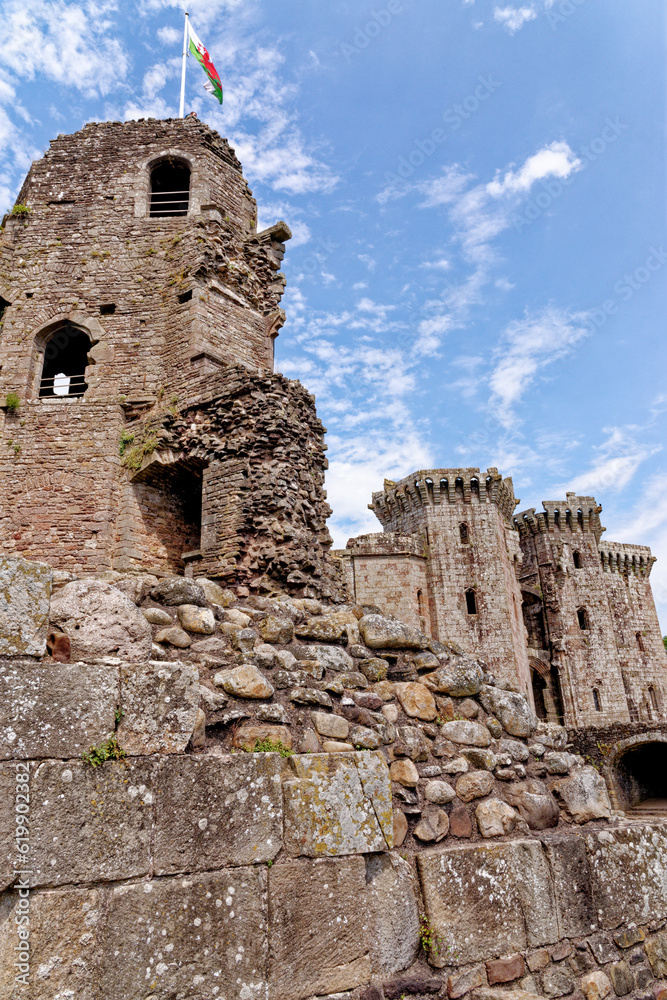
<point>538,595</point>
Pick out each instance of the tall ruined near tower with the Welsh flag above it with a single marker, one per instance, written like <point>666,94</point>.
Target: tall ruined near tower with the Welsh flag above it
<point>143,426</point>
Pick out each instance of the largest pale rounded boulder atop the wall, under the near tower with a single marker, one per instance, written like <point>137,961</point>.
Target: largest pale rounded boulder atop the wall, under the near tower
<point>101,621</point>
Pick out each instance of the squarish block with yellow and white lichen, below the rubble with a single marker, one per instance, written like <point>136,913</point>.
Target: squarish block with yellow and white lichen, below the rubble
<point>338,804</point>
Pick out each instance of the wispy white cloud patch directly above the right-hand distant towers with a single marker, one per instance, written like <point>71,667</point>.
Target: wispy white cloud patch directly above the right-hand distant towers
<point>527,347</point>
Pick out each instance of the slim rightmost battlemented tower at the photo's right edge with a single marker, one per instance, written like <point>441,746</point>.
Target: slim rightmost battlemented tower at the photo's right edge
<point>643,663</point>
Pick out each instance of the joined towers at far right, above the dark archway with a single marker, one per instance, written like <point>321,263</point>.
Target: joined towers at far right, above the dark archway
<point>593,633</point>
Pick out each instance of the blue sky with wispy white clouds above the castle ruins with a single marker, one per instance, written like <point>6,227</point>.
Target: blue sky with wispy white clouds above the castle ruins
<point>477,194</point>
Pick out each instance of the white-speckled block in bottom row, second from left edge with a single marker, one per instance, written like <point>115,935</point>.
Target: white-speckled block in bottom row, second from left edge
<point>197,937</point>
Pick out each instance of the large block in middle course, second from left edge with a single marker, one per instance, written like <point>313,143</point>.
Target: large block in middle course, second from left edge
<point>90,824</point>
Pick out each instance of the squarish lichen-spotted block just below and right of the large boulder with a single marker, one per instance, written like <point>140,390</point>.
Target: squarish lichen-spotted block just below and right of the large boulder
<point>159,701</point>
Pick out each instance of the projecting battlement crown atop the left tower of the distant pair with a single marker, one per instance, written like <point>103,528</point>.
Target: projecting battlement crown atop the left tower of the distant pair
<point>434,487</point>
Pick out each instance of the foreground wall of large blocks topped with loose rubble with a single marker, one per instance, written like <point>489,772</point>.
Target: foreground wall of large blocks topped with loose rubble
<point>310,801</point>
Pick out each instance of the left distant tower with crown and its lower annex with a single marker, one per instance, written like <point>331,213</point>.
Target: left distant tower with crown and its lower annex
<point>449,555</point>
